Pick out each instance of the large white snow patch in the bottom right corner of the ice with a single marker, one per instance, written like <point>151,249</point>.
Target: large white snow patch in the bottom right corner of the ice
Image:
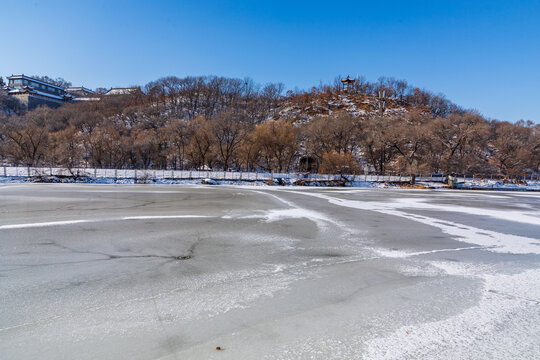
<point>503,325</point>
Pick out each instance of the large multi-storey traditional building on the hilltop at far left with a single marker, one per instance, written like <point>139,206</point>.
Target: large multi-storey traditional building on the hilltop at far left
<point>31,93</point>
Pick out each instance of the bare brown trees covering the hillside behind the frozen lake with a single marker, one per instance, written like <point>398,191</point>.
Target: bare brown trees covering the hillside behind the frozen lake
<point>215,122</point>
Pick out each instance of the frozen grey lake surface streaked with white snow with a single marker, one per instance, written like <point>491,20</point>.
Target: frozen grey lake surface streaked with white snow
<point>172,272</point>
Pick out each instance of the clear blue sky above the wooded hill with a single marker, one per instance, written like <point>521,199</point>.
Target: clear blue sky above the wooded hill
<point>480,54</point>
